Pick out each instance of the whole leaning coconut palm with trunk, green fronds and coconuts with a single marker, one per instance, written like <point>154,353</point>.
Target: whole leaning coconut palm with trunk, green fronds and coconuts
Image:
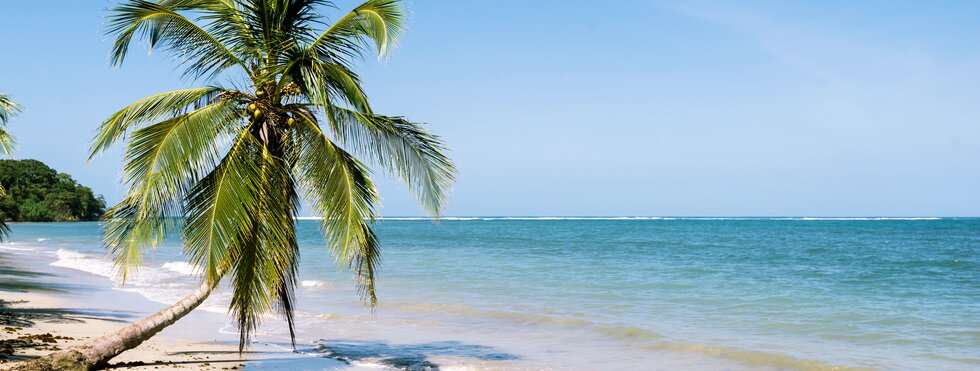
<point>233,162</point>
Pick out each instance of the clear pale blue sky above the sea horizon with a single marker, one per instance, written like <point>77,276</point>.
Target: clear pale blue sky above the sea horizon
<point>654,108</point>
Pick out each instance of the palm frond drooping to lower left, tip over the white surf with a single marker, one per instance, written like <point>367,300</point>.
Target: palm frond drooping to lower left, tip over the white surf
<point>163,160</point>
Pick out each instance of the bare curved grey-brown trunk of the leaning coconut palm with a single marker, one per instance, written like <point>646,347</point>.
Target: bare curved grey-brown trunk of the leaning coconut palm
<point>97,353</point>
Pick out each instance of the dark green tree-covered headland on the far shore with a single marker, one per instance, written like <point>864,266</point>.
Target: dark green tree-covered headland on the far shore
<point>38,193</point>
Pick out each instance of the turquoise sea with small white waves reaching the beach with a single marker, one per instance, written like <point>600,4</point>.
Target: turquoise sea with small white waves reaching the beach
<point>651,293</point>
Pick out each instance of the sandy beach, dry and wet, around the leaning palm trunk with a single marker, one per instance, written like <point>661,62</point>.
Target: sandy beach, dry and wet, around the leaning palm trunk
<point>37,323</point>
